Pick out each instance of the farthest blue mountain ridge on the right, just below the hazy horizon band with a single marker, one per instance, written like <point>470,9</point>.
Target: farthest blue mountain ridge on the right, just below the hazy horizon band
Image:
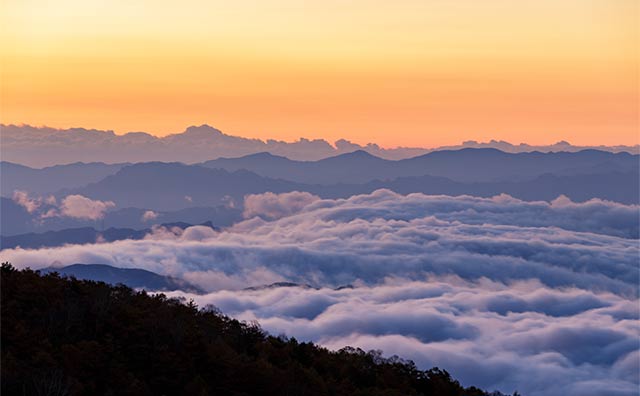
<point>466,165</point>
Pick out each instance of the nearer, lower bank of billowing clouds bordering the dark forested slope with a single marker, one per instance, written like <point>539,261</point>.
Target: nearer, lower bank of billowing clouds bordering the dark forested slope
<point>451,323</point>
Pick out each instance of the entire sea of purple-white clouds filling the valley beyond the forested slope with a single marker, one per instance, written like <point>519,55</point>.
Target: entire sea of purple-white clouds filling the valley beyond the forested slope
<point>505,294</point>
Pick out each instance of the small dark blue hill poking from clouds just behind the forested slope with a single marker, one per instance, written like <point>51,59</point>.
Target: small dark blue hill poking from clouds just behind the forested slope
<point>131,277</point>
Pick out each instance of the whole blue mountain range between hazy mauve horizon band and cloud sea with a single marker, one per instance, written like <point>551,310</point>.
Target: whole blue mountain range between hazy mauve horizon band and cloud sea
<point>214,190</point>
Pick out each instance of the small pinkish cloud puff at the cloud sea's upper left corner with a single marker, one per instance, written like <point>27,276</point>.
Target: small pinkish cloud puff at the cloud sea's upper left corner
<point>274,206</point>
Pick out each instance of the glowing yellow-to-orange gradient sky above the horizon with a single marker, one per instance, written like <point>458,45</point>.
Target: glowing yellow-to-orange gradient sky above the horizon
<point>409,73</point>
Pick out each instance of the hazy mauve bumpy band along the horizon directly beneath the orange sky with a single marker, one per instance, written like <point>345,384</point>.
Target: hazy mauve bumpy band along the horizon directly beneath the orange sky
<point>41,147</point>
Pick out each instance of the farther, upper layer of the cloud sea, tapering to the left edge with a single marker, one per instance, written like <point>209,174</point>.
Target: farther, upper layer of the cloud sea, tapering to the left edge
<point>369,237</point>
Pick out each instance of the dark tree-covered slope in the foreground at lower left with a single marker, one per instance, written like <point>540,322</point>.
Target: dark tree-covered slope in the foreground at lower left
<point>70,337</point>
